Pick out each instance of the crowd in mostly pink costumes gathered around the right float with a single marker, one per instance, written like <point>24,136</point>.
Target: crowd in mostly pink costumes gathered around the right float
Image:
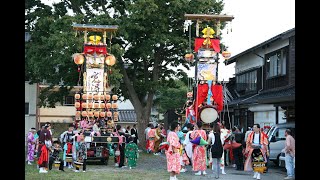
<point>201,149</point>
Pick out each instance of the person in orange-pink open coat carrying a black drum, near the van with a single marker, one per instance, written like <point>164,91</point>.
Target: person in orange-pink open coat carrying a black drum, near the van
<point>257,149</point>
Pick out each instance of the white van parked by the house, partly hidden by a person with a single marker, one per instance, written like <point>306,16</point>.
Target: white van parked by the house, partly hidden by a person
<point>277,139</point>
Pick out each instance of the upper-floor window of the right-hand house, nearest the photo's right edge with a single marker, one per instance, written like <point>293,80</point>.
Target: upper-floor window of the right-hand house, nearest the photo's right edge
<point>276,63</point>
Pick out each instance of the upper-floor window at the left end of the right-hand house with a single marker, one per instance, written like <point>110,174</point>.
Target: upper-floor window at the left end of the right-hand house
<point>247,81</point>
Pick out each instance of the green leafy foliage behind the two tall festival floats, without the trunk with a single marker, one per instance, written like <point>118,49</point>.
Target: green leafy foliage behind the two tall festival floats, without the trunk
<point>150,40</point>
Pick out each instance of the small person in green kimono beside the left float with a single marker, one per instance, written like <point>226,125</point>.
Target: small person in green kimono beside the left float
<point>131,152</point>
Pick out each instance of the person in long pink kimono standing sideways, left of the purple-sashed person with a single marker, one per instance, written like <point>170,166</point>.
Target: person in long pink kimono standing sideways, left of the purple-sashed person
<point>172,153</point>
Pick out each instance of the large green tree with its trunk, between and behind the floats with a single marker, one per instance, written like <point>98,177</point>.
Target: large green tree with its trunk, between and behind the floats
<point>150,39</point>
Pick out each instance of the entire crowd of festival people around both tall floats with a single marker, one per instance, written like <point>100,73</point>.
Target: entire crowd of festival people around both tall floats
<point>188,146</point>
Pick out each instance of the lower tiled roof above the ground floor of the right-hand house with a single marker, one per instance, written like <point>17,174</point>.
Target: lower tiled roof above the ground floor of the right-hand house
<point>271,95</point>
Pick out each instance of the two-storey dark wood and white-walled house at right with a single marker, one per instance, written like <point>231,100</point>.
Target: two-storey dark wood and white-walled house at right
<point>263,89</point>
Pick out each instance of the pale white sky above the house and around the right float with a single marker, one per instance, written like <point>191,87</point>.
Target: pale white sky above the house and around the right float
<point>254,21</point>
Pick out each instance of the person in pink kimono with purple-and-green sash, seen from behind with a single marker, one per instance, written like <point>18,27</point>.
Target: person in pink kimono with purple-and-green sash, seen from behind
<point>199,157</point>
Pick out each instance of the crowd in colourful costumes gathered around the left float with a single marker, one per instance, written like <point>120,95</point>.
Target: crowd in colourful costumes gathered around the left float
<point>71,144</point>
